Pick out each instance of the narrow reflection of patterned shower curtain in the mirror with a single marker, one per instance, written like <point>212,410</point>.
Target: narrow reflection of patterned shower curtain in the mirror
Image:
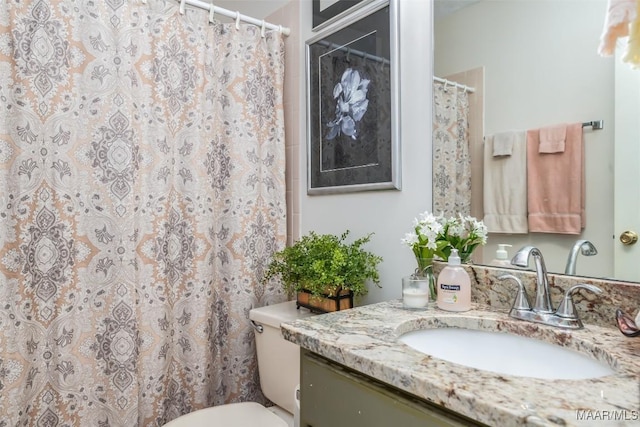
<point>451,158</point>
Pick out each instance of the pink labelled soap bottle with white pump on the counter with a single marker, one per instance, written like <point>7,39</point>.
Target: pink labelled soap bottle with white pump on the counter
<point>454,286</point>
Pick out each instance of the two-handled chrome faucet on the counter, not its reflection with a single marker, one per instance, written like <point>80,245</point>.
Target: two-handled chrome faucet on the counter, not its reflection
<point>565,316</point>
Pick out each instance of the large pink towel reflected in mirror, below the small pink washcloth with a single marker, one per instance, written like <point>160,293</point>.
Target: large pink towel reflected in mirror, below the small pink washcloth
<point>555,185</point>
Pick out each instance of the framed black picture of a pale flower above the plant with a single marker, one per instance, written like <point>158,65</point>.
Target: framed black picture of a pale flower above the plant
<point>352,104</point>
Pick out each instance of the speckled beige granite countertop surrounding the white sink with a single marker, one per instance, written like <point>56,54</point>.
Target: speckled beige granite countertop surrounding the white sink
<point>365,339</point>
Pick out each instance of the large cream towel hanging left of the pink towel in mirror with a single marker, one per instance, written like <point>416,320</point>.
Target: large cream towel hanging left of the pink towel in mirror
<point>505,187</point>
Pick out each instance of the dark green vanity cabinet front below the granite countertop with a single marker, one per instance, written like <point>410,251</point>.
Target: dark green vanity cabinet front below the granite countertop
<point>335,396</point>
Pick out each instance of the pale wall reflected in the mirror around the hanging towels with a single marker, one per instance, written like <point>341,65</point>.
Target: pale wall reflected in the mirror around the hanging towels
<point>531,81</point>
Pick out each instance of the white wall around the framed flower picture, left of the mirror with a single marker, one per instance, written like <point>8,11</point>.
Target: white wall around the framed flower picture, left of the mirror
<point>386,213</point>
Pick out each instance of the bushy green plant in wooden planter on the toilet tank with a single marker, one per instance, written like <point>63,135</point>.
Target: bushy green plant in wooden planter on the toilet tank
<point>325,271</point>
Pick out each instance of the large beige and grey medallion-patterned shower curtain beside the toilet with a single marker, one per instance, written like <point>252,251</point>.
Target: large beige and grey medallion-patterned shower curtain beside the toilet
<point>142,193</point>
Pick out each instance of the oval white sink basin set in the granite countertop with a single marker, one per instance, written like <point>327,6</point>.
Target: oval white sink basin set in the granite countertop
<point>506,354</point>
